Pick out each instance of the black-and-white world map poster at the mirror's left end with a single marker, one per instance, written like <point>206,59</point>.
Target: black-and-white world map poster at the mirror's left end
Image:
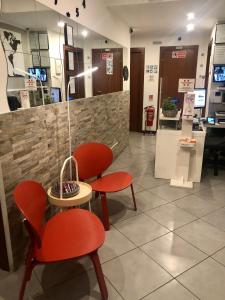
<point>12,44</point>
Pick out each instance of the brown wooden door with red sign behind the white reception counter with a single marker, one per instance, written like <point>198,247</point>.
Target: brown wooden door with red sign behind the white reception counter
<point>176,63</point>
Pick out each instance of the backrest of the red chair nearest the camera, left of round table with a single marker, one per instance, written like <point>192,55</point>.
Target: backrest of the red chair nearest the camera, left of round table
<point>30,198</point>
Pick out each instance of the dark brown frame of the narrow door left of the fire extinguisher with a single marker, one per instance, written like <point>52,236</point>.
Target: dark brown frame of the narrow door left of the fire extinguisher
<point>142,51</point>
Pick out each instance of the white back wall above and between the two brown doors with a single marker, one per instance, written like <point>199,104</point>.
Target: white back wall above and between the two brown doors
<point>152,57</point>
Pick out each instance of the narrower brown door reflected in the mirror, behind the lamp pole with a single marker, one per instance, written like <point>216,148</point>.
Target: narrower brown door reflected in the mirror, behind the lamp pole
<point>78,59</point>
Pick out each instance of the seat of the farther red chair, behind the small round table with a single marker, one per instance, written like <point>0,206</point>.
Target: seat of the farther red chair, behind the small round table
<point>113,182</point>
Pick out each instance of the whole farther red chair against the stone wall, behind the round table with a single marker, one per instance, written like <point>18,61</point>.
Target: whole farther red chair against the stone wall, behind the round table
<point>93,159</point>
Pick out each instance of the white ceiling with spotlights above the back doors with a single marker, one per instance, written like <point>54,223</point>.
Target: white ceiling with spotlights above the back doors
<point>160,18</point>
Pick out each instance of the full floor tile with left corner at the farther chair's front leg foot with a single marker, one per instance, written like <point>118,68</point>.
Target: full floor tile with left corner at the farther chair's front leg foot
<point>141,229</point>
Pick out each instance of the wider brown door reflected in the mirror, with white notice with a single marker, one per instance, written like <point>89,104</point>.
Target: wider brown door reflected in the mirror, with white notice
<point>102,82</point>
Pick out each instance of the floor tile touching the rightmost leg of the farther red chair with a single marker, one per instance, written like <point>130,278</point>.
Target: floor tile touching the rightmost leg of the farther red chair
<point>147,200</point>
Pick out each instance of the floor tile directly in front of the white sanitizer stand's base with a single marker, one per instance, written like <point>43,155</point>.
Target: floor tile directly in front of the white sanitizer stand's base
<point>169,193</point>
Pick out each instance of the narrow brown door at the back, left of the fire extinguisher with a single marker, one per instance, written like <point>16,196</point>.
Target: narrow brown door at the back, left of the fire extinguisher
<point>136,88</point>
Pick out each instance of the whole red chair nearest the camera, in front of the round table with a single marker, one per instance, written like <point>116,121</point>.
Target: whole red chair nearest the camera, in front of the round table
<point>71,234</point>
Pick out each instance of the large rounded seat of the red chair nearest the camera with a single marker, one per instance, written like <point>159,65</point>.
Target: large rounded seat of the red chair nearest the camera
<point>82,228</point>
